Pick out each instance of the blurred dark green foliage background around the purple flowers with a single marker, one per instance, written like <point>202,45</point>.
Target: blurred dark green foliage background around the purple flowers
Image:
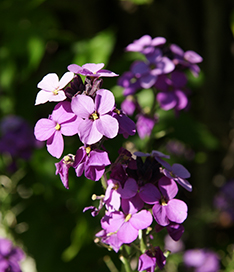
<point>39,37</point>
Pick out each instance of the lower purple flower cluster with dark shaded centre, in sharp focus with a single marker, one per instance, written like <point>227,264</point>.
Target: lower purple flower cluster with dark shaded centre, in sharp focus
<point>137,192</point>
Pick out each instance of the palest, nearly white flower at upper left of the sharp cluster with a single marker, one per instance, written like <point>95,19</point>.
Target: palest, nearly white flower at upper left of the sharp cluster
<point>52,88</point>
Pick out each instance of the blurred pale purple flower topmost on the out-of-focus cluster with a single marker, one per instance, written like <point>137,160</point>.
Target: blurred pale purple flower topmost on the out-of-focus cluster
<point>145,44</point>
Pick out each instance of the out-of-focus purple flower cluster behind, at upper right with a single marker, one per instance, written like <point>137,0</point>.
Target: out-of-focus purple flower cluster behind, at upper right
<point>162,70</point>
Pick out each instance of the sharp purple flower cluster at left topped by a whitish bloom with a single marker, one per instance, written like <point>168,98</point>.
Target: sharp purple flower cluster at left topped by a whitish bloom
<point>86,110</point>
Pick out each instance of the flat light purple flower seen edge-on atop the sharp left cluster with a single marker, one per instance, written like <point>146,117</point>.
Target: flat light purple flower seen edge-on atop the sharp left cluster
<point>91,69</point>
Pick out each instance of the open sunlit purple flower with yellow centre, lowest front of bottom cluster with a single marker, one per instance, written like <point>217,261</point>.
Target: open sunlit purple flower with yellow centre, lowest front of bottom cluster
<point>127,223</point>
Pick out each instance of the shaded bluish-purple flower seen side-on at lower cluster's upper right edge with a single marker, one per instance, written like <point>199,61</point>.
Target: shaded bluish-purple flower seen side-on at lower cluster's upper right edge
<point>178,173</point>
